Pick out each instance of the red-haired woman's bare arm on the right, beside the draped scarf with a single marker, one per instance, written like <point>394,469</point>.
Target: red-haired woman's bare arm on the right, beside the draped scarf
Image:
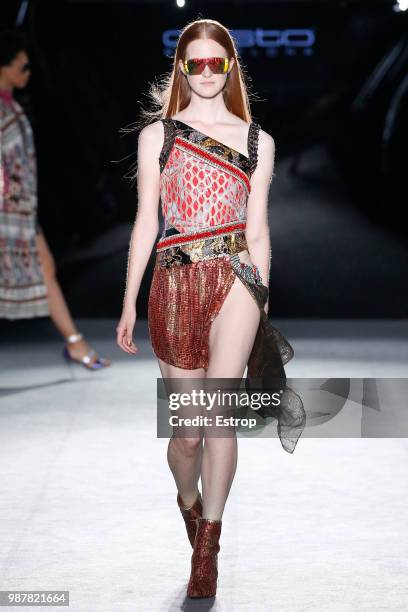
<point>257,229</point>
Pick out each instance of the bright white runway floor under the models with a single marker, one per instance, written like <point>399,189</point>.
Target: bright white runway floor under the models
<point>88,503</point>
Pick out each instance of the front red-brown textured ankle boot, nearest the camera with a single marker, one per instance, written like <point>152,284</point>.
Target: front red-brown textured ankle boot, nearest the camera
<point>204,560</point>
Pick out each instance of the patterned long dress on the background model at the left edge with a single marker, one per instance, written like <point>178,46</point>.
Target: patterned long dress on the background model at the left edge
<point>23,293</point>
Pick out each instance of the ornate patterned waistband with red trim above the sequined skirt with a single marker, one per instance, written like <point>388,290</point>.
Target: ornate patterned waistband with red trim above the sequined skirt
<point>230,240</point>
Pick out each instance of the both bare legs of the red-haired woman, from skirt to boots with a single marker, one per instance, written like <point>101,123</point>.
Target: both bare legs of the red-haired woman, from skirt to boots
<point>216,461</point>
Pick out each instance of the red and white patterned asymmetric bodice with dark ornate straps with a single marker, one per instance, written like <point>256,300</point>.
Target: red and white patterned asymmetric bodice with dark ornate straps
<point>203,182</point>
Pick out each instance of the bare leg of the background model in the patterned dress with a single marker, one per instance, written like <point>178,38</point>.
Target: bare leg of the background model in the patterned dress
<point>57,305</point>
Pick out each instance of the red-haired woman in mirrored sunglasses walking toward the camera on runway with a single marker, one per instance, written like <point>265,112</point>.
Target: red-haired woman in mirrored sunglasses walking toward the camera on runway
<point>208,300</point>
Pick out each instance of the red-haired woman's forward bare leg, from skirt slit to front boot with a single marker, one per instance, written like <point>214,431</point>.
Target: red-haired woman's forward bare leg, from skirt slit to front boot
<point>232,335</point>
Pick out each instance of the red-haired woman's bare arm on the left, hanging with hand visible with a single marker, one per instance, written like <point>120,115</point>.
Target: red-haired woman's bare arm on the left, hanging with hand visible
<point>145,228</point>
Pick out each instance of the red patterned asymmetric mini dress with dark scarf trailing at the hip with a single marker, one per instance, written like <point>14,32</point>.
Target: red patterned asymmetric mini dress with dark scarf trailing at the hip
<point>204,189</point>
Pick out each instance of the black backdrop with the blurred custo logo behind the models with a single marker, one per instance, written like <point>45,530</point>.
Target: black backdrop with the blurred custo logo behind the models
<point>334,97</point>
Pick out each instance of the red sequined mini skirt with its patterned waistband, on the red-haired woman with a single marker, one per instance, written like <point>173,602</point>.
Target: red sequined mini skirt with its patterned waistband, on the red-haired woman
<point>192,276</point>
